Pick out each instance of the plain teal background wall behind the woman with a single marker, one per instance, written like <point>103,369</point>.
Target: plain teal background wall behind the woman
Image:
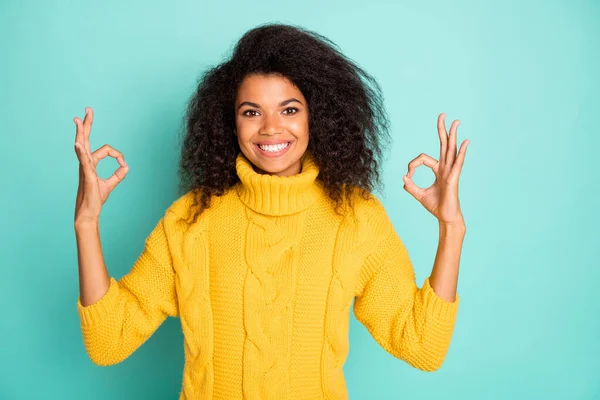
<point>522,77</point>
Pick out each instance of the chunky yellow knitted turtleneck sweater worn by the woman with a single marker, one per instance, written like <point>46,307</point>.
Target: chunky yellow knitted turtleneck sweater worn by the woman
<point>263,284</point>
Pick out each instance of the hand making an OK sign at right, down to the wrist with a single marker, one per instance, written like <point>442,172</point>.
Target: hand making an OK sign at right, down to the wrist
<point>441,198</point>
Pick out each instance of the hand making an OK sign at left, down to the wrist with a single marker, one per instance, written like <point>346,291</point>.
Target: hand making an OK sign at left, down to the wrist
<point>93,192</point>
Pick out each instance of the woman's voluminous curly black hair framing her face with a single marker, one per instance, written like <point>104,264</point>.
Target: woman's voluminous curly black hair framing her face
<point>347,119</point>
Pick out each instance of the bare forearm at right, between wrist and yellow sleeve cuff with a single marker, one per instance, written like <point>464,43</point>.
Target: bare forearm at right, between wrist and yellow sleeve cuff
<point>444,276</point>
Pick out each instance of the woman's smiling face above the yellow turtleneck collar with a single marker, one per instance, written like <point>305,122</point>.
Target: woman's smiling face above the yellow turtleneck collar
<point>271,117</point>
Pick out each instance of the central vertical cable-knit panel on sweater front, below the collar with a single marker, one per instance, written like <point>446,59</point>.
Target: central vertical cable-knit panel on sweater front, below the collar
<point>268,293</point>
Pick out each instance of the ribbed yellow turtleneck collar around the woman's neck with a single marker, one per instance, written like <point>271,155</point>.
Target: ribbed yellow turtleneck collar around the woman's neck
<point>278,195</point>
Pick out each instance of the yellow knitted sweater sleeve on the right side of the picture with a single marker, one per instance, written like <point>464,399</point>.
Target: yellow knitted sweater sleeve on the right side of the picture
<point>411,323</point>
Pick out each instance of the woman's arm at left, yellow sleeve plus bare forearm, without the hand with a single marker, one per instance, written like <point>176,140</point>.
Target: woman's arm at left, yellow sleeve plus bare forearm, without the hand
<point>118,316</point>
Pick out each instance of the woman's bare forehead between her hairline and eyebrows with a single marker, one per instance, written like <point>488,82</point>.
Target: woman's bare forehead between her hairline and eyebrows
<point>267,89</point>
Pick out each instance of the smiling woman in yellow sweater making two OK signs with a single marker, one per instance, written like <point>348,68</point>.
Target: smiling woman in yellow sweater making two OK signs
<point>277,232</point>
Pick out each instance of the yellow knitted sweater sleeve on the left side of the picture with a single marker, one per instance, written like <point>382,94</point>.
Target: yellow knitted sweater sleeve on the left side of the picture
<point>134,306</point>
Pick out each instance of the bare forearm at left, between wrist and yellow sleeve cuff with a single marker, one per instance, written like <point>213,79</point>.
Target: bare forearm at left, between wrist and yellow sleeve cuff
<point>94,279</point>
